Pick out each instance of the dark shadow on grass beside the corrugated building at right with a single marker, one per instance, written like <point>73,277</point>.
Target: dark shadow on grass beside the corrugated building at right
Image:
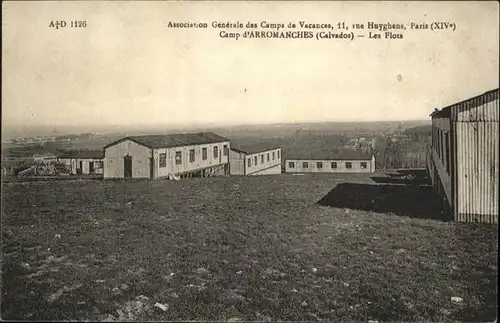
<point>416,201</point>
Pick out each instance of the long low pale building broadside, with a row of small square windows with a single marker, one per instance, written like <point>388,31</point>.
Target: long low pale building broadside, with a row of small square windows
<point>347,161</point>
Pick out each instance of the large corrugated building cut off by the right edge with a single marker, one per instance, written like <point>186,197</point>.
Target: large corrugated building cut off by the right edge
<point>463,157</point>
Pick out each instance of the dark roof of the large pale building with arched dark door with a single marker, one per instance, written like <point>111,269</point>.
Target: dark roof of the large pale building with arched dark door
<point>173,140</point>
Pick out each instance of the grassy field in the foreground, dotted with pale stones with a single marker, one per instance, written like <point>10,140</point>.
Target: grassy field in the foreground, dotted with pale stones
<point>259,248</point>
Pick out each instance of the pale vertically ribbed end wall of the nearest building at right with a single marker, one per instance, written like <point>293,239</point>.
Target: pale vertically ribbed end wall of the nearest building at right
<point>477,160</point>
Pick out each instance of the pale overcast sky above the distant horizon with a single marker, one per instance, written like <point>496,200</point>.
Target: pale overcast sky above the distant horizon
<point>127,67</point>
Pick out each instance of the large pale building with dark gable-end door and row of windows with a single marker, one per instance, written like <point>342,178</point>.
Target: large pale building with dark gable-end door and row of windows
<point>159,156</point>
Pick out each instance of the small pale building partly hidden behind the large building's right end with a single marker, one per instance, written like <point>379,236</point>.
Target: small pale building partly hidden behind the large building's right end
<point>254,159</point>
